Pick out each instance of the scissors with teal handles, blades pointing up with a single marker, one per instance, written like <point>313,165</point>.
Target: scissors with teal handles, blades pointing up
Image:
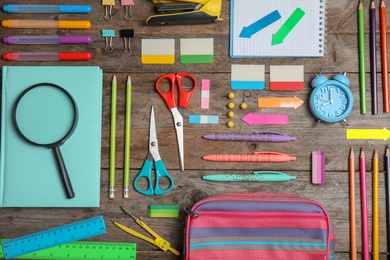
<point>153,156</point>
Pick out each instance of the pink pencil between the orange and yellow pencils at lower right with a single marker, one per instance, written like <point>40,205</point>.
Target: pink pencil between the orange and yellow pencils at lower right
<point>363,194</point>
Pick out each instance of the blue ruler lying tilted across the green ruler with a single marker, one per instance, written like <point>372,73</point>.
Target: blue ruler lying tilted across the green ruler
<point>53,237</point>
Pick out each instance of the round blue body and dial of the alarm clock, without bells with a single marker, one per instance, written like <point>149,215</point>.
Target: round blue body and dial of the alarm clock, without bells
<point>331,103</point>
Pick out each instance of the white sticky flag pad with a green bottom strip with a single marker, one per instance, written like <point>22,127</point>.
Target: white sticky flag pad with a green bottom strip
<point>197,50</point>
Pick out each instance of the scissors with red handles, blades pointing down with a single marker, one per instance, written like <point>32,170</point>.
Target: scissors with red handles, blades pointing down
<point>177,111</point>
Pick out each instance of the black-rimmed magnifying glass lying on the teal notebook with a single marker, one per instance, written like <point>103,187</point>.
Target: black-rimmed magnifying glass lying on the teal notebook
<point>46,115</point>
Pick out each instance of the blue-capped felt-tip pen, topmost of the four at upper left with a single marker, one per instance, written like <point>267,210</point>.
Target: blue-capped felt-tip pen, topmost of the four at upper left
<point>63,9</point>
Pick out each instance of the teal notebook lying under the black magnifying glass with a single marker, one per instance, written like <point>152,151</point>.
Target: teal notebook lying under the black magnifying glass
<point>29,175</point>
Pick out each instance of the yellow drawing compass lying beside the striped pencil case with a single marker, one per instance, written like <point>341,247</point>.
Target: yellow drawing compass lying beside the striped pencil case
<point>158,241</point>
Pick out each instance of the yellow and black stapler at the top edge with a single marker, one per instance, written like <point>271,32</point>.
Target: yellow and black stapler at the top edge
<point>185,12</point>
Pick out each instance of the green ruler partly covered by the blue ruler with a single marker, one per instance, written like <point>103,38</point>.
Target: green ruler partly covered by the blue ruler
<point>86,250</point>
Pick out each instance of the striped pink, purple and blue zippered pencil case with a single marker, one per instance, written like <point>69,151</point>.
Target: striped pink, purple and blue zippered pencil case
<point>258,226</point>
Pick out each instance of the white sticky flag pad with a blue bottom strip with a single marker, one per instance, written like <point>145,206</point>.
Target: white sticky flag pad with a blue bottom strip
<point>247,77</point>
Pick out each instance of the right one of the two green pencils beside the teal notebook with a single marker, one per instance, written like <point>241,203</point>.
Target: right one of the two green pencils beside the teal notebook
<point>126,167</point>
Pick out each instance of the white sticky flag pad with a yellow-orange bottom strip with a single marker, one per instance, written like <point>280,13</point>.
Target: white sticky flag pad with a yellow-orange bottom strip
<point>158,51</point>
